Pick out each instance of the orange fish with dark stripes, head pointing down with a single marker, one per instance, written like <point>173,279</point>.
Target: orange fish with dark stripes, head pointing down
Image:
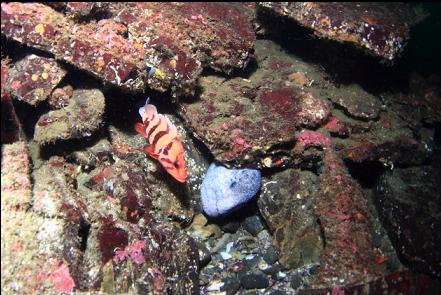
<point>165,145</point>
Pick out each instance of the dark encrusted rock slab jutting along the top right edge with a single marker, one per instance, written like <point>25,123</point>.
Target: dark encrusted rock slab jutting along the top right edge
<point>381,29</point>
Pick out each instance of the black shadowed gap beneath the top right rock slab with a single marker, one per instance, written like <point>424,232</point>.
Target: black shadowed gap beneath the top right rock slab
<point>347,64</point>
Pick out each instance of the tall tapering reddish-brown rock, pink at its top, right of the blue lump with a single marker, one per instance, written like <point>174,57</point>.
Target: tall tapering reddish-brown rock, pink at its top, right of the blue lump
<point>341,206</point>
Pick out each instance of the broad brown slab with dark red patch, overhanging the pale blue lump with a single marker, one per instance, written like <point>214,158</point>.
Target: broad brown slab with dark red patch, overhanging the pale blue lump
<point>242,121</point>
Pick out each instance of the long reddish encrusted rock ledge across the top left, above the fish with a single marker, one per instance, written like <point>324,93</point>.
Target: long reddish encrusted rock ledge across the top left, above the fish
<point>157,52</point>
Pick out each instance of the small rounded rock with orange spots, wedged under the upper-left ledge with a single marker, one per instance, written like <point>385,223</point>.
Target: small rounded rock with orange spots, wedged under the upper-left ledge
<point>33,78</point>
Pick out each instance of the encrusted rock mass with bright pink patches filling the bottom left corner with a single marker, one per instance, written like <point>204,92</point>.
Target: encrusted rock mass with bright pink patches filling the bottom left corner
<point>69,228</point>
